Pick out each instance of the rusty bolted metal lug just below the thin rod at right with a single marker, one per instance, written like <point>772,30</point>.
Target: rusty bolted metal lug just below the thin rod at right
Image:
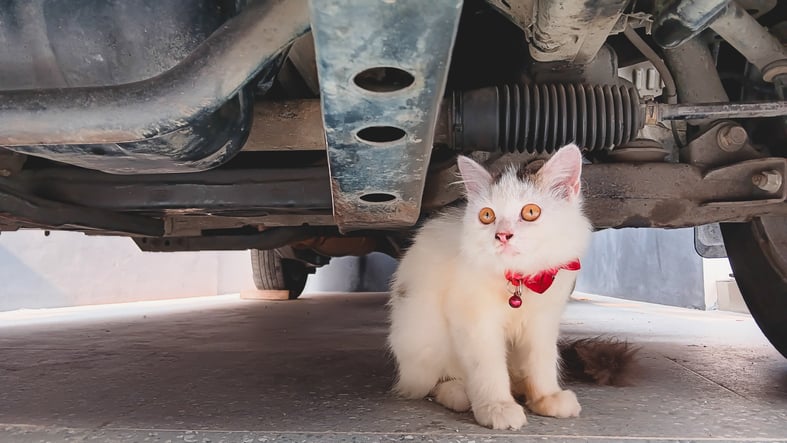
<point>708,149</point>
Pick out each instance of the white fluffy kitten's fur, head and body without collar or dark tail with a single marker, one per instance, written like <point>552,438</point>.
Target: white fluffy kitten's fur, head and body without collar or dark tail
<point>453,333</point>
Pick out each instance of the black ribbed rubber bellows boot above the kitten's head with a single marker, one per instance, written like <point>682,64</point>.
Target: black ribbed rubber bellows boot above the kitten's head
<point>544,117</point>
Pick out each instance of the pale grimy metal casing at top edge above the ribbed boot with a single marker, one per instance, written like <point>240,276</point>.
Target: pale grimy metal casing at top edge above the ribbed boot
<point>573,31</point>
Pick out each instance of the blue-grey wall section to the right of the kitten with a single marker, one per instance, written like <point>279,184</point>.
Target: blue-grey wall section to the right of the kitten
<point>653,265</point>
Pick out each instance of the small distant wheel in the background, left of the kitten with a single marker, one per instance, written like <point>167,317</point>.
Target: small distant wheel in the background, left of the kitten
<point>272,272</point>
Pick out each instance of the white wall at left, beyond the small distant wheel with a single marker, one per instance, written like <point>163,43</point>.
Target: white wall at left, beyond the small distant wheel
<point>67,269</point>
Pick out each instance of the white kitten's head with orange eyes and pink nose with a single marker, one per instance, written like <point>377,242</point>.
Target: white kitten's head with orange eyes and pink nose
<point>525,222</point>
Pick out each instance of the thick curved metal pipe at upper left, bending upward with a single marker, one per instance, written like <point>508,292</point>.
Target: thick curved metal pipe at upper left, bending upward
<point>199,84</point>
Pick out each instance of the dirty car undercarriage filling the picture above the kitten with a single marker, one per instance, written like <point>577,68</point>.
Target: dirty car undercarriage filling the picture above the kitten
<point>331,127</point>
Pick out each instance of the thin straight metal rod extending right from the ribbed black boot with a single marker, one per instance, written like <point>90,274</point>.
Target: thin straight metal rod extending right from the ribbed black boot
<point>716,110</point>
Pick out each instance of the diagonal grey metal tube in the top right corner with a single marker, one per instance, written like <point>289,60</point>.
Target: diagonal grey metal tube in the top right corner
<point>751,39</point>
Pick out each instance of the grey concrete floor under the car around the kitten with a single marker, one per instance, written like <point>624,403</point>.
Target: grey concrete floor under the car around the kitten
<point>222,369</point>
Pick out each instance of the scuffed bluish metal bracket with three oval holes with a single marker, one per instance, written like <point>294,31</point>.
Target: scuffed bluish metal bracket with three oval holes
<point>382,69</point>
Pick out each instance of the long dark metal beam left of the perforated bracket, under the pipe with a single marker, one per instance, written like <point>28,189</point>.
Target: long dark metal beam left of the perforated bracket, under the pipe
<point>237,192</point>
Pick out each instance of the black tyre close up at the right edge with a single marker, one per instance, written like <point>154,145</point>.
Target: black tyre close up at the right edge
<point>758,255</point>
